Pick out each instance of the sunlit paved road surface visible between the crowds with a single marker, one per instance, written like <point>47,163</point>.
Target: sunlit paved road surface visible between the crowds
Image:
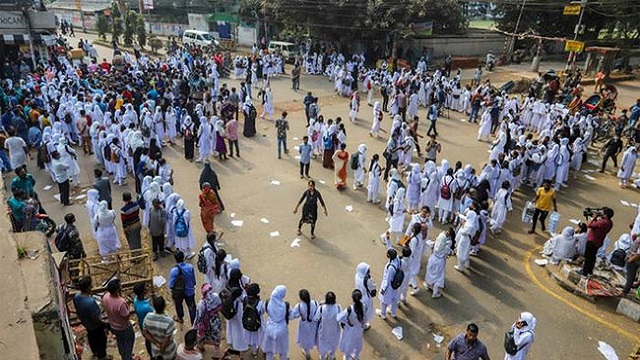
<point>500,285</point>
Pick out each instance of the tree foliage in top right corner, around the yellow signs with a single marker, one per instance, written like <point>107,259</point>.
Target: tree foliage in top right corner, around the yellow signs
<point>612,21</point>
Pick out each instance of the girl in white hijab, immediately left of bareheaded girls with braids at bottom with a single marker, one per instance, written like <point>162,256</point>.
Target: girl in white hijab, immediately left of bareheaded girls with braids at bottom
<point>276,330</point>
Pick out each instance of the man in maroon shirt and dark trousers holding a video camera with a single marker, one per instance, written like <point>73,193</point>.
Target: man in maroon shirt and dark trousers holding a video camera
<point>598,228</point>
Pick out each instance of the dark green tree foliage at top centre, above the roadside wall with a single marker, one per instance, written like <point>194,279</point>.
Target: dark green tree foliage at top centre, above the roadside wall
<point>359,19</point>
